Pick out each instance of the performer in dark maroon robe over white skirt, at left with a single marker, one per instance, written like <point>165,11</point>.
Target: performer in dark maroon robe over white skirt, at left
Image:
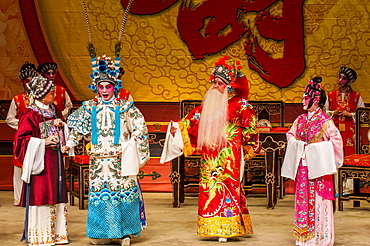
<point>37,147</point>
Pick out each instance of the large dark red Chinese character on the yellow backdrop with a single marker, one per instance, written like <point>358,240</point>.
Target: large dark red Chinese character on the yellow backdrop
<point>212,25</point>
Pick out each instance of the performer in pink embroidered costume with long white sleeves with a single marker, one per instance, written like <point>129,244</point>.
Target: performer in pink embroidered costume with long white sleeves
<point>314,152</point>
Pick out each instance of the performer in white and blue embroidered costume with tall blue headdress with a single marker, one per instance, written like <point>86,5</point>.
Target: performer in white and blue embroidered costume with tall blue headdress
<point>119,147</point>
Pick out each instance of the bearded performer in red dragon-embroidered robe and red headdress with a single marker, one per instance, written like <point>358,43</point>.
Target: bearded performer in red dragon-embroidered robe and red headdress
<point>223,130</point>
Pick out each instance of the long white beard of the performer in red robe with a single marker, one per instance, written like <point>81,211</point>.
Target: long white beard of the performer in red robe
<point>213,120</point>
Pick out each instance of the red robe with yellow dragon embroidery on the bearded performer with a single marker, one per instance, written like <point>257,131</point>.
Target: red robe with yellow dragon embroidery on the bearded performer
<point>222,208</point>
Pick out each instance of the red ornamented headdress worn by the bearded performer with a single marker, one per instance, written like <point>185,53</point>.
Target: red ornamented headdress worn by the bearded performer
<point>229,71</point>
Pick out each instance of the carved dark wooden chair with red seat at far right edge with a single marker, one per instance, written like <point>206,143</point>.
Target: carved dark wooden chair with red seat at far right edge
<point>357,166</point>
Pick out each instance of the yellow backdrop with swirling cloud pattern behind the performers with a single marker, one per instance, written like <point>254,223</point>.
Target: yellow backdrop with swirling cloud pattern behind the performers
<point>158,62</point>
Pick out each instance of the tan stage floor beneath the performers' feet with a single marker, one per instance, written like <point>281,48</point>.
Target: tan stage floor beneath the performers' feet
<point>177,226</point>
